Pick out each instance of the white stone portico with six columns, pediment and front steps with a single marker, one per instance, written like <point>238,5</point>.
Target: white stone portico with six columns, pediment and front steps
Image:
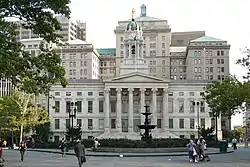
<point>125,98</point>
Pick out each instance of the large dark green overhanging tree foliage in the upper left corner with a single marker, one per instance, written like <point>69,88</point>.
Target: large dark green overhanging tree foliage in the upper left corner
<point>32,74</point>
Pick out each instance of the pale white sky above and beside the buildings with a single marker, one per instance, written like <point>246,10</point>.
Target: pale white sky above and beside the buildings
<point>223,19</point>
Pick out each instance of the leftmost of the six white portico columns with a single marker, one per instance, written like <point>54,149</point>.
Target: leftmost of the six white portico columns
<point>107,117</point>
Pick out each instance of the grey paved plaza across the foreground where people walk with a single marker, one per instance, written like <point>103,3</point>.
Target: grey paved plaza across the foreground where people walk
<point>240,158</point>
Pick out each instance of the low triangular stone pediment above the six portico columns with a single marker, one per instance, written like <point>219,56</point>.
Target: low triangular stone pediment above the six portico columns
<point>136,77</point>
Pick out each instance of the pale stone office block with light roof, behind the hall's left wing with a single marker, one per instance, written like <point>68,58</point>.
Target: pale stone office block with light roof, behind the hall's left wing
<point>80,60</point>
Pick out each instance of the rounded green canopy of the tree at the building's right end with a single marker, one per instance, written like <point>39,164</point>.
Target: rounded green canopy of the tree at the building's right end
<point>226,97</point>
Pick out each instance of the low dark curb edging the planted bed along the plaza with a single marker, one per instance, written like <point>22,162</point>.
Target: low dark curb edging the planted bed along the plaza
<point>130,155</point>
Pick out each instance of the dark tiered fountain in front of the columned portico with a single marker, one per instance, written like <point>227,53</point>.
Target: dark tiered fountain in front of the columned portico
<point>146,136</point>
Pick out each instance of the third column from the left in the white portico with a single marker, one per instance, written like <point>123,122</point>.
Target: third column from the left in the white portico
<point>130,111</point>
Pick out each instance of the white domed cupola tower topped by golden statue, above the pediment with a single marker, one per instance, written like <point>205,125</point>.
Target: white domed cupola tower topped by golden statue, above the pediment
<point>133,59</point>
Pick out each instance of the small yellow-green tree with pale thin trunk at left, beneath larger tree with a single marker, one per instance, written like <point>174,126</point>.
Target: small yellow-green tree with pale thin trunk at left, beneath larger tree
<point>20,110</point>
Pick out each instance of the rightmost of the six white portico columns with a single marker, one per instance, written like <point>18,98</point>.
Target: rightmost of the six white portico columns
<point>165,113</point>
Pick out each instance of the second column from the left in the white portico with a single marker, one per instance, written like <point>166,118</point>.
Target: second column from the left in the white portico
<point>119,109</point>
